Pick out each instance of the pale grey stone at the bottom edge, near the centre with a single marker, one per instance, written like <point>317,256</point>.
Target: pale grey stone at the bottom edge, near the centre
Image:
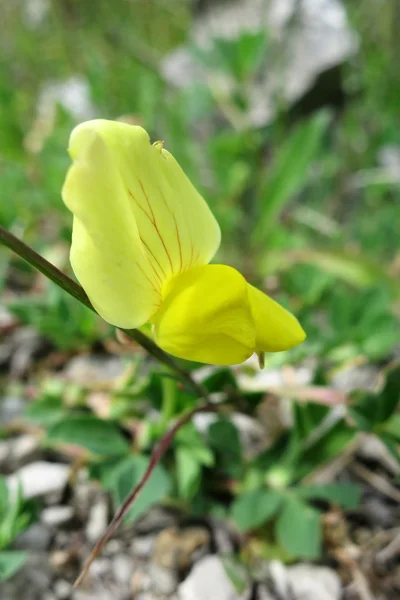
<point>208,580</point>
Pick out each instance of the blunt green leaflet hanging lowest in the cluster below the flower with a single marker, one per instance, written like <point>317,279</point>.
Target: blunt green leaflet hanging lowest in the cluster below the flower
<point>298,529</point>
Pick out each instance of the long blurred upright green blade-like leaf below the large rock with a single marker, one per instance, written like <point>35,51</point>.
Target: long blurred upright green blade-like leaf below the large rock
<point>289,171</point>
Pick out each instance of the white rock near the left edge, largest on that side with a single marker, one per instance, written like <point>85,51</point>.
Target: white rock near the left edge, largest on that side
<point>39,479</point>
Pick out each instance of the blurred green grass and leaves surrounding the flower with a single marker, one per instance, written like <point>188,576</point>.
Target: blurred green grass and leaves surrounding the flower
<point>307,211</point>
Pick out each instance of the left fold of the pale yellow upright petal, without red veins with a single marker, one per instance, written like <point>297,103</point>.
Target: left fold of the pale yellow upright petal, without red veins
<point>106,252</point>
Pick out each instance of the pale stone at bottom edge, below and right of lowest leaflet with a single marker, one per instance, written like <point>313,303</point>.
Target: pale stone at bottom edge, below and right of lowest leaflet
<point>314,583</point>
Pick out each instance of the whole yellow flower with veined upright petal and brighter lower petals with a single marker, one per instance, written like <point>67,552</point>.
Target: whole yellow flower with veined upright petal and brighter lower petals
<point>141,243</point>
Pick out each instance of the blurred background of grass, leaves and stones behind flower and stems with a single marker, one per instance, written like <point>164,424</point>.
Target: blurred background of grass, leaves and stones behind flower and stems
<point>285,114</point>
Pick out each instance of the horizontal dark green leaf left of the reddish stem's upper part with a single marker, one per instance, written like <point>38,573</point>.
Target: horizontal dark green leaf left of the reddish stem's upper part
<point>96,435</point>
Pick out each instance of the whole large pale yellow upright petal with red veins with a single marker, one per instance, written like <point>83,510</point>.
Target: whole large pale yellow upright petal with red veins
<point>138,220</point>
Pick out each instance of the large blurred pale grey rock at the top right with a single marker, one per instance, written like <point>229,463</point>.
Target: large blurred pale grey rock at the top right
<point>307,38</point>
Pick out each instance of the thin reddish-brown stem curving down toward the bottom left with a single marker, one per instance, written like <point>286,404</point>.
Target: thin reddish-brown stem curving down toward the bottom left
<point>158,452</point>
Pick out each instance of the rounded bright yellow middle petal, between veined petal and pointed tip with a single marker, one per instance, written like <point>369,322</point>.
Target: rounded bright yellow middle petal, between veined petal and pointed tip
<point>206,317</point>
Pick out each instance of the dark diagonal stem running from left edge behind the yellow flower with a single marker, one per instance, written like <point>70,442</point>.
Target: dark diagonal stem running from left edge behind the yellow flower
<point>37,261</point>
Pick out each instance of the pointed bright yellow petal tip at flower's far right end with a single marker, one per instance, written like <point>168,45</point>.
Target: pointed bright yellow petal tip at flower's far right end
<point>276,328</point>
